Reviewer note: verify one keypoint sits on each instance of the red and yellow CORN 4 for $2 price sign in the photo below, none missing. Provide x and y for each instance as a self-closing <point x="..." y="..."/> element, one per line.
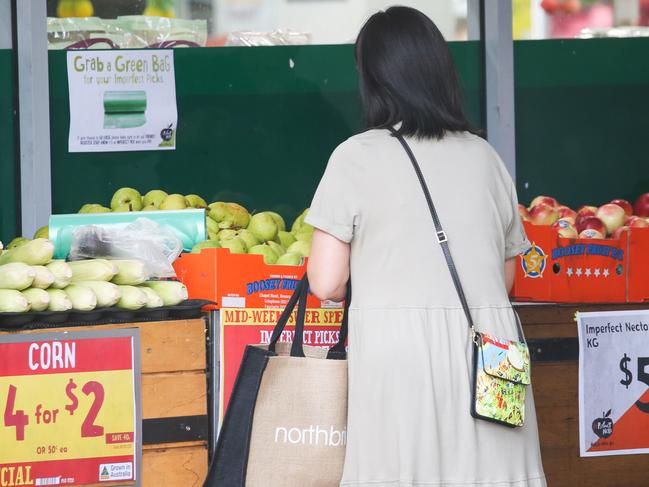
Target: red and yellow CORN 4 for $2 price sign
<point x="70" y="408"/>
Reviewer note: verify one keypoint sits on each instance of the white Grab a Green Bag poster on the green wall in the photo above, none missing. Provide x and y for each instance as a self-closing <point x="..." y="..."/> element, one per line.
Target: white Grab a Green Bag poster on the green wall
<point x="122" y="100"/>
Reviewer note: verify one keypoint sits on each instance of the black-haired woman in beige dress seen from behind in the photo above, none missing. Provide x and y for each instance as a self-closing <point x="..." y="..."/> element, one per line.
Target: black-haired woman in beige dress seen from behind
<point x="409" y="346"/>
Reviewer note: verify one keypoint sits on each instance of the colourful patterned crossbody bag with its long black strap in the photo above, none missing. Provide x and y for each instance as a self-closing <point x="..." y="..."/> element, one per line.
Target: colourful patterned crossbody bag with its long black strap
<point x="501" y="368"/>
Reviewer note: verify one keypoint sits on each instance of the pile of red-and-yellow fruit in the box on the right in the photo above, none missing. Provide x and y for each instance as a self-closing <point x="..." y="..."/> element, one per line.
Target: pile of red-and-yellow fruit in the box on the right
<point x="609" y="220"/>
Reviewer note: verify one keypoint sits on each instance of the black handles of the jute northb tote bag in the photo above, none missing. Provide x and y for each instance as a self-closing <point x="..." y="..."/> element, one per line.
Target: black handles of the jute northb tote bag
<point x="299" y="297"/>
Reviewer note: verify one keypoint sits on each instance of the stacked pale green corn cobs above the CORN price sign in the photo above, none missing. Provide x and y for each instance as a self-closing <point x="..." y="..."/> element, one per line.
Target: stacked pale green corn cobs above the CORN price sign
<point x="31" y="281"/>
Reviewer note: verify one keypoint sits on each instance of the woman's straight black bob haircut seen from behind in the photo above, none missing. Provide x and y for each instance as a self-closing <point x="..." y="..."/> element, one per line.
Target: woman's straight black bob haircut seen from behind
<point x="407" y="75"/>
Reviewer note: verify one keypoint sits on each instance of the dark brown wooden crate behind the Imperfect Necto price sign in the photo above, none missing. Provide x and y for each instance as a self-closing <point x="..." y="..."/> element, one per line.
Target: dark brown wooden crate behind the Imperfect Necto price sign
<point x="555" y="385"/>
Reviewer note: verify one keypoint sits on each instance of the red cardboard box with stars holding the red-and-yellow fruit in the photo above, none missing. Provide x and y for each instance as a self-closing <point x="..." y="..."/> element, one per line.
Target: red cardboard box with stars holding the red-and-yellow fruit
<point x="565" y="270"/>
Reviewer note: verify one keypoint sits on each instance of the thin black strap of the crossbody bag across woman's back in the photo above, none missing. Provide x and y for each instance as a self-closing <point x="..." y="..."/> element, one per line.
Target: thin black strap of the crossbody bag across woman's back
<point x="442" y="239"/>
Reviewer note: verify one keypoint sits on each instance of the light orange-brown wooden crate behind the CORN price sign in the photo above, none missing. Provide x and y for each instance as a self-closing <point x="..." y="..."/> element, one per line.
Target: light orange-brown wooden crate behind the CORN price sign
<point x="174" y="385"/>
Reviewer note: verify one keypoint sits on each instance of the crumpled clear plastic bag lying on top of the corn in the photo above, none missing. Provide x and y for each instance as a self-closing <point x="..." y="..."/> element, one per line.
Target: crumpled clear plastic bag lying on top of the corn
<point x="142" y="239"/>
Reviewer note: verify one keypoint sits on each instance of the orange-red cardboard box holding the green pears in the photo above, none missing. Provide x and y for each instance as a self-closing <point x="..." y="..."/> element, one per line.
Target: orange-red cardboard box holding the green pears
<point x="240" y="280"/>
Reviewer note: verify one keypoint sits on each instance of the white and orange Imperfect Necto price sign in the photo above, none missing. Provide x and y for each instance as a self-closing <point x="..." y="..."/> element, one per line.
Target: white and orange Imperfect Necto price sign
<point x="614" y="382"/>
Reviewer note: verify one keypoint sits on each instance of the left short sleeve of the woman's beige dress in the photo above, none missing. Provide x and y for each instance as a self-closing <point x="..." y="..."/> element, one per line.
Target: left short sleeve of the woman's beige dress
<point x="334" y="208"/>
